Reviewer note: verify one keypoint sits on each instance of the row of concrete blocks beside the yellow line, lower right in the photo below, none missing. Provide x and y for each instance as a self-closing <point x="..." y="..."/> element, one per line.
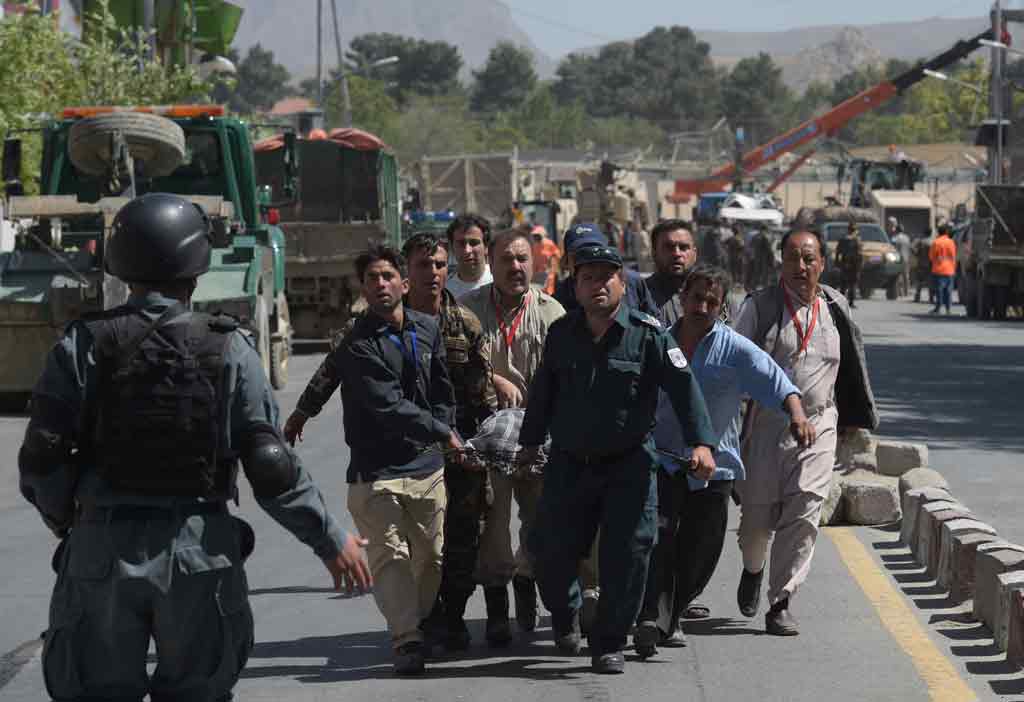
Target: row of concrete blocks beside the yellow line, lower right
<point x="967" y="557"/>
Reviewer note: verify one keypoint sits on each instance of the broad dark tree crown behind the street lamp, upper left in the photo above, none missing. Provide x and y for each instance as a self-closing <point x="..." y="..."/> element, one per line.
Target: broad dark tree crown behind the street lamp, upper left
<point x="424" y="68"/>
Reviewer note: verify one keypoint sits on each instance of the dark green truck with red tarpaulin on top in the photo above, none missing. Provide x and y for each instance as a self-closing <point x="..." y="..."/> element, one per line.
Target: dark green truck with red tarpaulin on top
<point x="347" y="197"/>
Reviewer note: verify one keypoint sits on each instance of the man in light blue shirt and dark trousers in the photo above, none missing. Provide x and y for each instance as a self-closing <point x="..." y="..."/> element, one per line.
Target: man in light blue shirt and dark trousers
<point x="694" y="513"/>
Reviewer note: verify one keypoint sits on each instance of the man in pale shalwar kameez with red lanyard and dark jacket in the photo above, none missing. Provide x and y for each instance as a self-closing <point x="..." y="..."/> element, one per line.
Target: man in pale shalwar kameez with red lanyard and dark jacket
<point x="808" y="331"/>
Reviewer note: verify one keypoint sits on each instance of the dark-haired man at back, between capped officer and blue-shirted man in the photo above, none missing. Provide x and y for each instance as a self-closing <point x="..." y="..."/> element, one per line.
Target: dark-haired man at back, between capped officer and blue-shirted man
<point x="675" y="253"/>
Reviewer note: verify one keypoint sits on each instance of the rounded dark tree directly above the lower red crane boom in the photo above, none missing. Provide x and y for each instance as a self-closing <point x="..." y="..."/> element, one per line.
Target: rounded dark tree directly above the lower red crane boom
<point x="755" y="98"/>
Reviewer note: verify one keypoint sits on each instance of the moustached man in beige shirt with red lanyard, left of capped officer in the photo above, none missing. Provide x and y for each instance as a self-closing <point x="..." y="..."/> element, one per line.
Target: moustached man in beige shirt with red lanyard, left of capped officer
<point x="516" y="320"/>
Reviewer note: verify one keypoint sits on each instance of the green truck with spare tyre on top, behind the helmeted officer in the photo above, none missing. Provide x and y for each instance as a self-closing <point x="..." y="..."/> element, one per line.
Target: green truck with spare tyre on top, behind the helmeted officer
<point x="97" y="159"/>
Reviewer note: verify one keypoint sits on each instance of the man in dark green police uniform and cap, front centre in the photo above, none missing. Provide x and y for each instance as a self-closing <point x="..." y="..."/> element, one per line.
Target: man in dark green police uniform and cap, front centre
<point x="596" y="392"/>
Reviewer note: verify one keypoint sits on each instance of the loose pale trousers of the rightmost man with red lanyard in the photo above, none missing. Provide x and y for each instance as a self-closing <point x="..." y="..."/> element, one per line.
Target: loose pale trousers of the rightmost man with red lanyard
<point x="795" y="523"/>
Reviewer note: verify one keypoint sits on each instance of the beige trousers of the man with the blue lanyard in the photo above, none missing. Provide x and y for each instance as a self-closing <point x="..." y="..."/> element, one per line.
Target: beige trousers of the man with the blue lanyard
<point x="403" y="519"/>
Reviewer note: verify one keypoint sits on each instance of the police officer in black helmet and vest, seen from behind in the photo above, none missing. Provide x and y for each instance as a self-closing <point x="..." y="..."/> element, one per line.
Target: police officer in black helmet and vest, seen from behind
<point x="139" y="423"/>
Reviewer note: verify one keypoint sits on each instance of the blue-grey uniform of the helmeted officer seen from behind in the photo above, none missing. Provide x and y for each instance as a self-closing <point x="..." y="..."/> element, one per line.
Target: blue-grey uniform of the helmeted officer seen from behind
<point x="135" y="567"/>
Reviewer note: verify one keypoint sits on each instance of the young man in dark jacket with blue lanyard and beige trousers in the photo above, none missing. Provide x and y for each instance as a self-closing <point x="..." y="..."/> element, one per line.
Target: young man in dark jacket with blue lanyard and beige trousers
<point x="399" y="417"/>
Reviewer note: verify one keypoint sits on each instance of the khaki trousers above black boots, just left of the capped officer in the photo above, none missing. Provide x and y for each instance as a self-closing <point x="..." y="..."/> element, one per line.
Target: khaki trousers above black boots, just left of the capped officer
<point x="498" y="563"/>
